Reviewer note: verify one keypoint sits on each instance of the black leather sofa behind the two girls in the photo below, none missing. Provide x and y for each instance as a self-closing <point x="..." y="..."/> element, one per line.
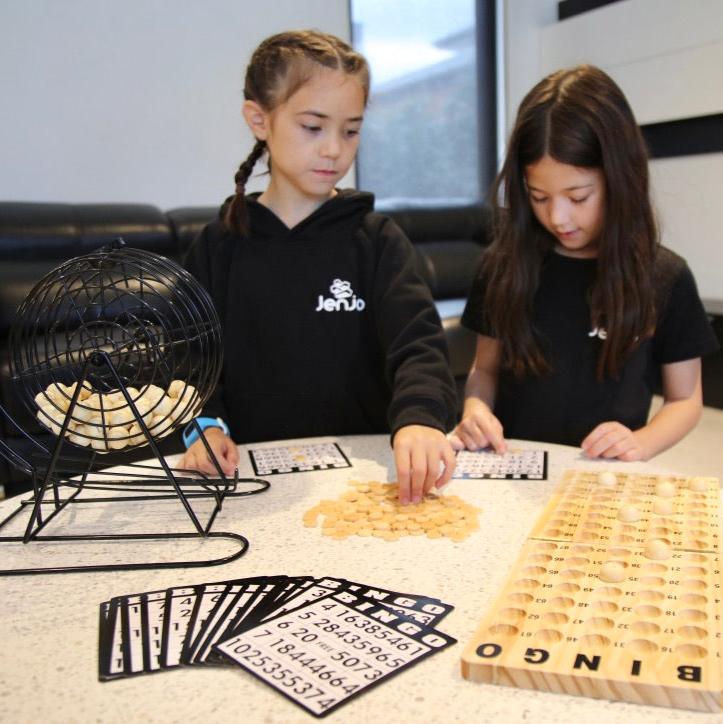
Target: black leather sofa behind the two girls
<point x="36" y="237"/>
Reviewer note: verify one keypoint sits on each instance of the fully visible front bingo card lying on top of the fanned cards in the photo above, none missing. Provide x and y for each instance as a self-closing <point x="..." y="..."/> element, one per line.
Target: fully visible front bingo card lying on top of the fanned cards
<point x="332" y="649"/>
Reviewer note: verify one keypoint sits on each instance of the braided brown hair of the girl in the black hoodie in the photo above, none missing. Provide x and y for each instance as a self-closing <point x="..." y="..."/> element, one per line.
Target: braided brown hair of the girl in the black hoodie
<point x="278" y="68"/>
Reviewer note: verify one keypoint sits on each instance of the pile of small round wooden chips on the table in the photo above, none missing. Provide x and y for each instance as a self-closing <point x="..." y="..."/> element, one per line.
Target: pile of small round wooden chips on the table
<point x="373" y="509"/>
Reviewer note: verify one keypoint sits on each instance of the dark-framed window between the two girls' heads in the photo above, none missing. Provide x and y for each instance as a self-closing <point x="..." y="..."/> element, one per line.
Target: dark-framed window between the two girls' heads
<point x="429" y="131"/>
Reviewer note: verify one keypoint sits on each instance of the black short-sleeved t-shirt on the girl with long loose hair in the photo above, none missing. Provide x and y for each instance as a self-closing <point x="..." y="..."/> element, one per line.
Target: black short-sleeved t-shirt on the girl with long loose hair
<point x="566" y="404"/>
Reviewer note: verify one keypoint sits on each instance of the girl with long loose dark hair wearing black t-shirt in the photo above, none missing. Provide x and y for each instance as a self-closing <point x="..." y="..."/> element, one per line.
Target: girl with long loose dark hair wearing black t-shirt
<point x="580" y="312"/>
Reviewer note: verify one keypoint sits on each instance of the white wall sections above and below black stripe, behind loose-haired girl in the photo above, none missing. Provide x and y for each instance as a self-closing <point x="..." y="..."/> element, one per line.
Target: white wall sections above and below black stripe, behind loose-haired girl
<point x="667" y="57"/>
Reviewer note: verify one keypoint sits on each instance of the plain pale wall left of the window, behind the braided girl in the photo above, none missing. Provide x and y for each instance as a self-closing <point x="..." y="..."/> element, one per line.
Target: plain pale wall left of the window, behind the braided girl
<point x="136" y="100"/>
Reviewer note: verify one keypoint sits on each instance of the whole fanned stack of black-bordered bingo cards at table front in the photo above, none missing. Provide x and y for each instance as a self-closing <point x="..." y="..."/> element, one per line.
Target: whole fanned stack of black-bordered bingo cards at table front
<point x="319" y="642"/>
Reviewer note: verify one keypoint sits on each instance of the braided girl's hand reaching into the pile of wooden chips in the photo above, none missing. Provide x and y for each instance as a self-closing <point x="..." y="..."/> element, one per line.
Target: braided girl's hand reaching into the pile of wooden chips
<point x="418" y="453"/>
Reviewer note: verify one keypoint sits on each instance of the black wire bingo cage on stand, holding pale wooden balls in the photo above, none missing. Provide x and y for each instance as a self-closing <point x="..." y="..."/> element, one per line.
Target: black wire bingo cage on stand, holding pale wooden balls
<point x="110" y="352"/>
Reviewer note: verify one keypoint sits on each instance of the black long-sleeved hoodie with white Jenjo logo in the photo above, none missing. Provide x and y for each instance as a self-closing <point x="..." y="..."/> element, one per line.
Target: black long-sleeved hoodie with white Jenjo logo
<point x="328" y="327"/>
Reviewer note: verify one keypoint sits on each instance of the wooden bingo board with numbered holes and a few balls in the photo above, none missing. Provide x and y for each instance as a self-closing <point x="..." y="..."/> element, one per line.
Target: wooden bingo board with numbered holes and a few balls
<point x="615" y="595"/>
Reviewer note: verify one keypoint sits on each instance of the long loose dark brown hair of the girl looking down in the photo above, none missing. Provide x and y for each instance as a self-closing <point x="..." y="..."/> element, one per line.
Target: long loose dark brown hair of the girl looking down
<point x="578" y="117"/>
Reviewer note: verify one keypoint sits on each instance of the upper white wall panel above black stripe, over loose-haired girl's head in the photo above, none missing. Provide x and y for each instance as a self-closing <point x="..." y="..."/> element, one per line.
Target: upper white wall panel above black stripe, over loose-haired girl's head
<point x="666" y="55"/>
